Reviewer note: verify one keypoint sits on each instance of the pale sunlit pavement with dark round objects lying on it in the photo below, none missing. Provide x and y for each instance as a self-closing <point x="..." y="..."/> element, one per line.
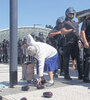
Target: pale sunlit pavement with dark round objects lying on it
<point x="62" y="89"/>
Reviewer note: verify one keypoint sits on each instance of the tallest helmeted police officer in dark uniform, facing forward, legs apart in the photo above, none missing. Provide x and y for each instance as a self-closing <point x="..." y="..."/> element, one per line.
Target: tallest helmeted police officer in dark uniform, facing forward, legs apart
<point x="71" y="43"/>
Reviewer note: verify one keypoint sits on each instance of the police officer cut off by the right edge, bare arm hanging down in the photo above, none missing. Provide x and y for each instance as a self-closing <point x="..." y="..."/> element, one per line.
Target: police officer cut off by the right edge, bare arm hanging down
<point x="85" y="33"/>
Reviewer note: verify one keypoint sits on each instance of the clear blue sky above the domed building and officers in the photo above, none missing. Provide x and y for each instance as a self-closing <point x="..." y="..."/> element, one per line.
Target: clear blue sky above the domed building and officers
<point x="41" y="12"/>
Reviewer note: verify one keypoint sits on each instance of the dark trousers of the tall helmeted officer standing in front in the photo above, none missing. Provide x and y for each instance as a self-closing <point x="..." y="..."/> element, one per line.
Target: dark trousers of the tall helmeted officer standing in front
<point x="68" y="50"/>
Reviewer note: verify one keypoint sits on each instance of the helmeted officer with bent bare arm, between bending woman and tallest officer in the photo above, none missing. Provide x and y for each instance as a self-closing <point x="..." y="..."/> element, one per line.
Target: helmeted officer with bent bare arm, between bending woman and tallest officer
<point x="56" y="38"/>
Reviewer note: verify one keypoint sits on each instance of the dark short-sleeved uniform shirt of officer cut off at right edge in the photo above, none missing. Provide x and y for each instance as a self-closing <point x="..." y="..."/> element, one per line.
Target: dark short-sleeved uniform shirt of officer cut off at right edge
<point x="86" y="28"/>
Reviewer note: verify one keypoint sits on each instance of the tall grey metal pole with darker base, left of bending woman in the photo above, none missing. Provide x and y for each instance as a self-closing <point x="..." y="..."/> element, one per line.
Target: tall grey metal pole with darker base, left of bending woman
<point x="13" y="42"/>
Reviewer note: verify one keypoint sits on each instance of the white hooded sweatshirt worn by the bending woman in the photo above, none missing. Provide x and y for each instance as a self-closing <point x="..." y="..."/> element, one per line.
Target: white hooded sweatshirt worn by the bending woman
<point x="44" y="51"/>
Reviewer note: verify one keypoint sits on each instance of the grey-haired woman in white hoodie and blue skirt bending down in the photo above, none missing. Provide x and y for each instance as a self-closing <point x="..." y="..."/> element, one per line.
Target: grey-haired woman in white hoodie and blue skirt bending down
<point x="47" y="57"/>
